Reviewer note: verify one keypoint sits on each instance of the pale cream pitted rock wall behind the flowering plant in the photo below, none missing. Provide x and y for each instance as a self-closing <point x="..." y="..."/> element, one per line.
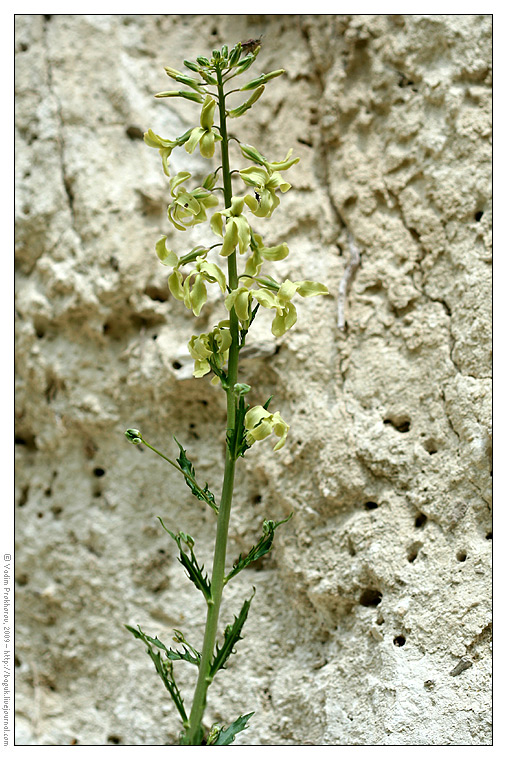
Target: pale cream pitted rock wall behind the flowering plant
<point x="371" y="619"/>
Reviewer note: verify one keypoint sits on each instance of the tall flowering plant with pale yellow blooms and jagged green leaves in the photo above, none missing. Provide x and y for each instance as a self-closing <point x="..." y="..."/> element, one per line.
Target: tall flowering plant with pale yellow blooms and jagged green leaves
<point x="218" y="351"/>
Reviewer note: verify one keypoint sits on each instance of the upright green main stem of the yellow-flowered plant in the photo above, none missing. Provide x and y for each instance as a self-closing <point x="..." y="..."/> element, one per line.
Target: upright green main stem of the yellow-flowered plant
<point x="194" y="734"/>
